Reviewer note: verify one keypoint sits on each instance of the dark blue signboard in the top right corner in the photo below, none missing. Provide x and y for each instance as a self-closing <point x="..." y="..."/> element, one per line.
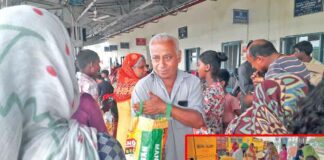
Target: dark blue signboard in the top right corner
<point x="303" y="7"/>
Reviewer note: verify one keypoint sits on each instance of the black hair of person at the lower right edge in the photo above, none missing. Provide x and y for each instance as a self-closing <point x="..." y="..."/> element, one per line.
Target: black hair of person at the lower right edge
<point x="309" y="118"/>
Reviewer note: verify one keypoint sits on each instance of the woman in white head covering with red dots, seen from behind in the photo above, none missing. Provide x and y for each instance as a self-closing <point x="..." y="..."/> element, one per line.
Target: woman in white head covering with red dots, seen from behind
<point x="39" y="92"/>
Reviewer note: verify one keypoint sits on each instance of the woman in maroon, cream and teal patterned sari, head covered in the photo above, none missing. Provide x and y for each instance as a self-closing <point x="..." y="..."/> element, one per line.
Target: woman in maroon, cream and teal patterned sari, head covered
<point x="274" y="104"/>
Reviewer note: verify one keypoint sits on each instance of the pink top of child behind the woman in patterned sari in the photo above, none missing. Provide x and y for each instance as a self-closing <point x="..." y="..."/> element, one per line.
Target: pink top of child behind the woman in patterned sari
<point x="231" y="104"/>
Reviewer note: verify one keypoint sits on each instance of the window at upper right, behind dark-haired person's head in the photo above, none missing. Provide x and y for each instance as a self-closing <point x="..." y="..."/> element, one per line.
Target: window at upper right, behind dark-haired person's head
<point x="317" y="40"/>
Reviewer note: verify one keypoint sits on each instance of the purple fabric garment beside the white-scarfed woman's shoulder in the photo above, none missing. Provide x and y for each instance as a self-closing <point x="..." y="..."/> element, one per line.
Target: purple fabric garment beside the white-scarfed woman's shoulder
<point x="89" y="113"/>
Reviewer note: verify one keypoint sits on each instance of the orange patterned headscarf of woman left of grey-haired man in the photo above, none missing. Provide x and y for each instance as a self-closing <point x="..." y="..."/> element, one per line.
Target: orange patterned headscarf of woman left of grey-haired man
<point x="126" y="78"/>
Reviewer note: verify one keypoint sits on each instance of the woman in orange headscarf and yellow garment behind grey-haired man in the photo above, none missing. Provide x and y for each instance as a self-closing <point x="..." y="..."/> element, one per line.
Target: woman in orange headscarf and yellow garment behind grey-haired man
<point x="132" y="69"/>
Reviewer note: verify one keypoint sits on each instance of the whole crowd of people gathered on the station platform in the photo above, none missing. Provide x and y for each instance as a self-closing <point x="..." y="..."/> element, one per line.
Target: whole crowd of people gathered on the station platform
<point x="55" y="110"/>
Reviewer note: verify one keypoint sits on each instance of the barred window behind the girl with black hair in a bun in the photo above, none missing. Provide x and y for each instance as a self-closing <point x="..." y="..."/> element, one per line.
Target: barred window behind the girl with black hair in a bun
<point x="233" y="52"/>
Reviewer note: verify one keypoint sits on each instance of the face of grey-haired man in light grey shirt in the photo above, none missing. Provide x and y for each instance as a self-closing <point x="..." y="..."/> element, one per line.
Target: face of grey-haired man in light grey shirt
<point x="165" y="58"/>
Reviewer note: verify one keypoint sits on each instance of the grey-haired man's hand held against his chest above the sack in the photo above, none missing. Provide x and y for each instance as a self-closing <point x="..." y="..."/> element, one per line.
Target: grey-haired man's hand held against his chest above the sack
<point x="152" y="106"/>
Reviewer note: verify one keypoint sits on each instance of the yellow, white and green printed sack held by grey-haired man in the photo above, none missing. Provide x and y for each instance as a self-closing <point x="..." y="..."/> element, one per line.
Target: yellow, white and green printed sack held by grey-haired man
<point x="147" y="138"/>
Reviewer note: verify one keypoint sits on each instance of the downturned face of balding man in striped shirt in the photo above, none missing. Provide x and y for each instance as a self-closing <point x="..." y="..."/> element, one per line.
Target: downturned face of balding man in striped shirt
<point x="259" y="62"/>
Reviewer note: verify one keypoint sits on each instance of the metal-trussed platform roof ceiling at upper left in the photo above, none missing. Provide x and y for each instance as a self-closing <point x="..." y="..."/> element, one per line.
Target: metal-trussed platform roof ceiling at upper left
<point x="104" y="19"/>
